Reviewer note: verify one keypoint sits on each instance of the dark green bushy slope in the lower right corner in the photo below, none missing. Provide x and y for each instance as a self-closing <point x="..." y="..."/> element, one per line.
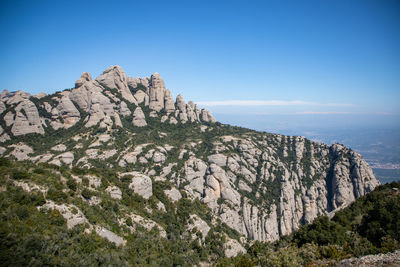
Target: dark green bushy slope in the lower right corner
<point x="370" y="225"/>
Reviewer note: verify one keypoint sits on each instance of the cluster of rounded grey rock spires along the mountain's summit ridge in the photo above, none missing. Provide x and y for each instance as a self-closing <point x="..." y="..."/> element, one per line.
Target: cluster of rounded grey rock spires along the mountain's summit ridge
<point x="101" y="101"/>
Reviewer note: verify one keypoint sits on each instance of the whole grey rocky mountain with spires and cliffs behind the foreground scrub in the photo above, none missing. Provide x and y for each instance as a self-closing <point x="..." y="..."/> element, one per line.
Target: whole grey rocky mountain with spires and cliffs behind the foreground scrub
<point x="262" y="185"/>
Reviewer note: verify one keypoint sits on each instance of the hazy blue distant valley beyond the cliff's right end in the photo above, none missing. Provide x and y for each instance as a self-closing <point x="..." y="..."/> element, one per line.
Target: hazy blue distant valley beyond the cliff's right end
<point x="379" y="144"/>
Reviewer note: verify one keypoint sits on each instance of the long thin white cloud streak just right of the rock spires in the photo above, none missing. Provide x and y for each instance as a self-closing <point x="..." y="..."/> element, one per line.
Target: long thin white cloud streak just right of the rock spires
<point x="265" y="103"/>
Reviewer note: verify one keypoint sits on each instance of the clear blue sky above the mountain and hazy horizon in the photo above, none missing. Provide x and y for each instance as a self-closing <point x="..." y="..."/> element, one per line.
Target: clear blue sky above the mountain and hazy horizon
<point x="260" y="64"/>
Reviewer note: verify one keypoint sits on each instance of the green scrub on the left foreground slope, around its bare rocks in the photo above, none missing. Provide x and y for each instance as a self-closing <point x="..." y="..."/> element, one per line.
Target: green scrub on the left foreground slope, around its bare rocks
<point x="29" y="236"/>
